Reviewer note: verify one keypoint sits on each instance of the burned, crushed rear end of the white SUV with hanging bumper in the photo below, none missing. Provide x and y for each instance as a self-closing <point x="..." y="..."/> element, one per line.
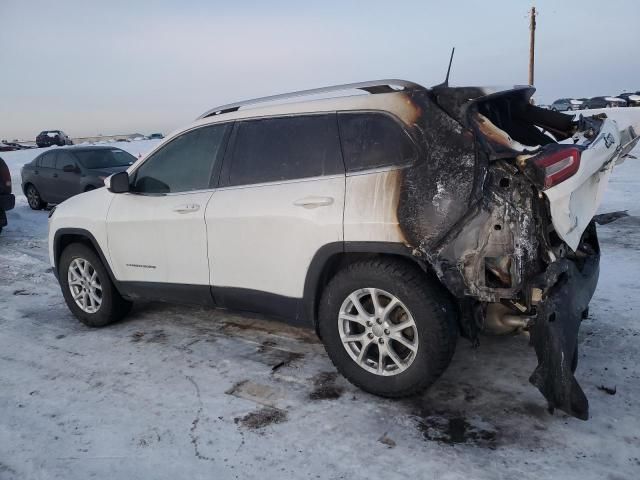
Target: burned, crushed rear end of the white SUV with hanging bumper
<point x="507" y="248"/>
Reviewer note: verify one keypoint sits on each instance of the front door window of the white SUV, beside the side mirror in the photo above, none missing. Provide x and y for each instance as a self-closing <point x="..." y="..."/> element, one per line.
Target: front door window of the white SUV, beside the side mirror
<point x="184" y="164"/>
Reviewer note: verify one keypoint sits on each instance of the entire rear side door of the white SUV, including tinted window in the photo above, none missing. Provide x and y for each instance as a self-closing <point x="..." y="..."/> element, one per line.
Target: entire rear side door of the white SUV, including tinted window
<point x="280" y="200"/>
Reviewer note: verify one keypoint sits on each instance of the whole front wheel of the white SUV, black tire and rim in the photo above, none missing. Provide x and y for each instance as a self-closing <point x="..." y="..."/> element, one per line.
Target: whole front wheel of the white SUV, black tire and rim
<point x="111" y="308"/>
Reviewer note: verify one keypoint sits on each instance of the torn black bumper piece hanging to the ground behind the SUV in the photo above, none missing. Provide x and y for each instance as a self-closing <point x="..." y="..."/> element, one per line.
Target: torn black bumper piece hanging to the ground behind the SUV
<point x="569" y="287"/>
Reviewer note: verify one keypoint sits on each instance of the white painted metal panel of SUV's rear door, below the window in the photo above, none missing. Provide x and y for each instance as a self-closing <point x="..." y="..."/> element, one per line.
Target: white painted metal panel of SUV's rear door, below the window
<point x="263" y="237"/>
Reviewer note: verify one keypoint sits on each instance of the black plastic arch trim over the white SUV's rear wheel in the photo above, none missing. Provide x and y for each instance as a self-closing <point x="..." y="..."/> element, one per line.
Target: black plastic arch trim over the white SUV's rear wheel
<point x="333" y="257"/>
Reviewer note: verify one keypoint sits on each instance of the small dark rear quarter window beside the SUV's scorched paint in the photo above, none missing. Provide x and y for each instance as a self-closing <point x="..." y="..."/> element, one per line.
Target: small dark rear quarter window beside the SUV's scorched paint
<point x="373" y="140"/>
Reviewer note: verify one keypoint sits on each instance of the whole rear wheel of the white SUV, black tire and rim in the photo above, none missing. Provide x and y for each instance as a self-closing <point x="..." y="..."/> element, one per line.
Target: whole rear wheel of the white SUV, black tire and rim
<point x="421" y="300"/>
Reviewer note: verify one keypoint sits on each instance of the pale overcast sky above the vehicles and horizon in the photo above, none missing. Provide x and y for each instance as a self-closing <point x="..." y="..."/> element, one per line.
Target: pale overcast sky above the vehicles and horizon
<point x="90" y="67"/>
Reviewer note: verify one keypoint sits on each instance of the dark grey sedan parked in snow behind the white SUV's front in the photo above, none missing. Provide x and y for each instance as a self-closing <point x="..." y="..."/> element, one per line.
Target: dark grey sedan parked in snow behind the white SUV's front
<point x="58" y="174"/>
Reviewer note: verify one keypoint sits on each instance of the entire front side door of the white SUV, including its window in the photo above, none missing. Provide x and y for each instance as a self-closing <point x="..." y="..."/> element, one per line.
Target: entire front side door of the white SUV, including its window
<point x="157" y="232"/>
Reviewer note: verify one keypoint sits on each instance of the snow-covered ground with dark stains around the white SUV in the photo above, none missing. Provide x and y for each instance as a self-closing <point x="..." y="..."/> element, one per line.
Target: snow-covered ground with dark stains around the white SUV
<point x="182" y="392"/>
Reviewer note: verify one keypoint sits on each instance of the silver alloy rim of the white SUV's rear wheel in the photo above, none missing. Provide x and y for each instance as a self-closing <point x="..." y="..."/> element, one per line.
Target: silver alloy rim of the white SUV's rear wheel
<point x="378" y="331"/>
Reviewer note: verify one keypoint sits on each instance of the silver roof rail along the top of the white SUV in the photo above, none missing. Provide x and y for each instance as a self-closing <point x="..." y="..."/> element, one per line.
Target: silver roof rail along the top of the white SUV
<point x="373" y="86"/>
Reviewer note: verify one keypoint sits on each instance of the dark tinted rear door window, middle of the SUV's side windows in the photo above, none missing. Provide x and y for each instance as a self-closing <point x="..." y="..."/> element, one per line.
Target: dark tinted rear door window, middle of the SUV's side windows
<point x="285" y="148"/>
